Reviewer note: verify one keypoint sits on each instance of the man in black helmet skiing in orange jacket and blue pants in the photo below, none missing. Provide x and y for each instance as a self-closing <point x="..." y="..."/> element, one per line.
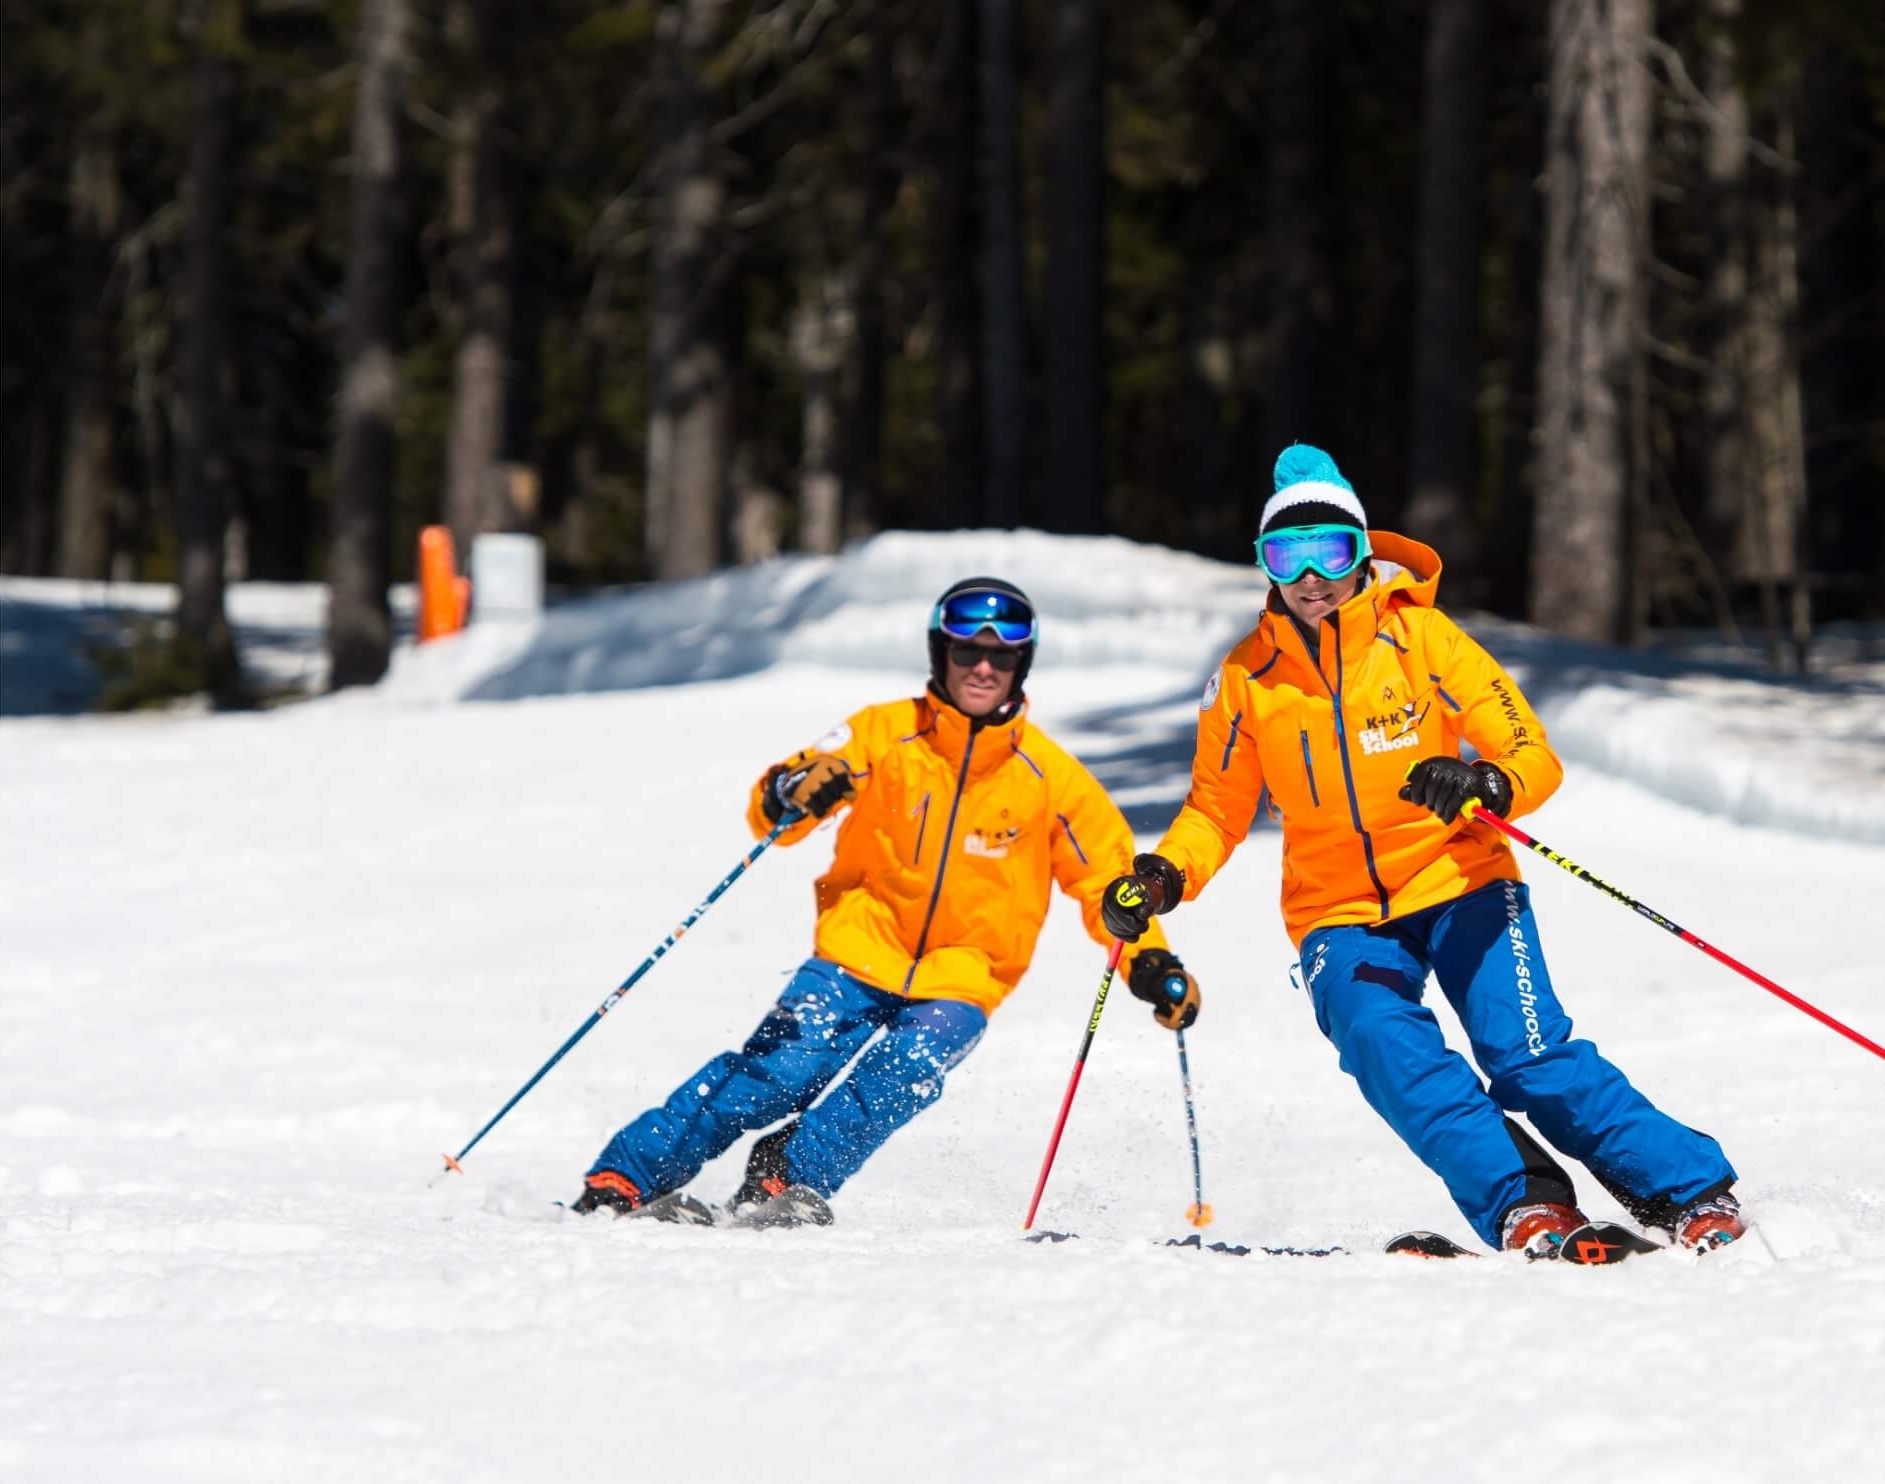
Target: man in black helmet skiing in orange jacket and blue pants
<point x="962" y="814"/>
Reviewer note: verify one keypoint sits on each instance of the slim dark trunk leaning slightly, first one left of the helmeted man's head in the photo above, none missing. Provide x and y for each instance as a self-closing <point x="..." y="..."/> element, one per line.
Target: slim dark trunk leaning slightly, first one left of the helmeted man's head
<point x="862" y="457"/>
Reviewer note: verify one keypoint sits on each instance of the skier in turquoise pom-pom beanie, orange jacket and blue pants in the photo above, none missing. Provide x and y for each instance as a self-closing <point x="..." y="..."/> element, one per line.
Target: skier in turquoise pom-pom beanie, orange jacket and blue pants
<point x="1349" y="702"/>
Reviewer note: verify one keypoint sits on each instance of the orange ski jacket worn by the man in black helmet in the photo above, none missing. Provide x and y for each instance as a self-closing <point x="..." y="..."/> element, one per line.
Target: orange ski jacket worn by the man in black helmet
<point x="945" y="855"/>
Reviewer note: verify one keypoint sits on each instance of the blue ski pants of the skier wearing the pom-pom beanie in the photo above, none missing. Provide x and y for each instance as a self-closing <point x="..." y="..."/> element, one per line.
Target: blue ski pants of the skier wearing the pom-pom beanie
<point x="1366" y="985"/>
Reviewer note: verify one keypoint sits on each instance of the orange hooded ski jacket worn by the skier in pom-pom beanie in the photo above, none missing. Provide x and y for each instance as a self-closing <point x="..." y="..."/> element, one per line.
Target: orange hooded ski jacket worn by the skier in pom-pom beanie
<point x="1398" y="682"/>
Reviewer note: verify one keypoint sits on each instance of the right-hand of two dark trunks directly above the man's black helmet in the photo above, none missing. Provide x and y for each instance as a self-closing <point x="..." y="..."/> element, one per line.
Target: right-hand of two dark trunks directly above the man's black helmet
<point x="1004" y="297"/>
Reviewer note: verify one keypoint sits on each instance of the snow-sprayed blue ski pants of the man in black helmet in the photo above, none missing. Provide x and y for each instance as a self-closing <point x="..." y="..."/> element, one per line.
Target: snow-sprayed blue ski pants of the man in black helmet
<point x="819" y="1025"/>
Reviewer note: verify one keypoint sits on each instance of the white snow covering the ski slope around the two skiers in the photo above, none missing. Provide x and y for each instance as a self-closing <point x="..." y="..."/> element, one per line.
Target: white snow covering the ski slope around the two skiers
<point x="257" y="972"/>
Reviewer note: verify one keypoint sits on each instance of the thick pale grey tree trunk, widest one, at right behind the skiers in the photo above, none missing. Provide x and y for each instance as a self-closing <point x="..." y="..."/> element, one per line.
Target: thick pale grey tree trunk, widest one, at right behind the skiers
<point x="1592" y="323"/>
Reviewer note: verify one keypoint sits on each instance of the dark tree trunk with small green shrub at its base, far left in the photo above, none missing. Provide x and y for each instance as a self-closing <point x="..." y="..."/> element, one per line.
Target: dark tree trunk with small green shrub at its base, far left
<point x="203" y="453"/>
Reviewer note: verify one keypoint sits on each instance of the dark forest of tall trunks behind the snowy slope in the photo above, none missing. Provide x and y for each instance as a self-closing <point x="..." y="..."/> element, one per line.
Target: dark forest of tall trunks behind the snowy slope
<point x="1586" y="293"/>
